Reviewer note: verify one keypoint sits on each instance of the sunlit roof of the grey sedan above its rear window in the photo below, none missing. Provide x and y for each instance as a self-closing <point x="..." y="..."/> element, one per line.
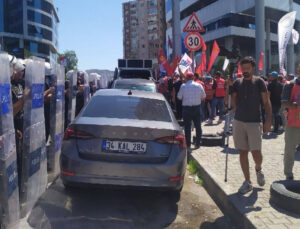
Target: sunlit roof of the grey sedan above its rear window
<point x="135" y="93"/>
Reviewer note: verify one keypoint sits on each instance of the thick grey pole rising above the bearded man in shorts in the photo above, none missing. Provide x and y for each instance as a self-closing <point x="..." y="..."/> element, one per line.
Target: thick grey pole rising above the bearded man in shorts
<point x="260" y="32"/>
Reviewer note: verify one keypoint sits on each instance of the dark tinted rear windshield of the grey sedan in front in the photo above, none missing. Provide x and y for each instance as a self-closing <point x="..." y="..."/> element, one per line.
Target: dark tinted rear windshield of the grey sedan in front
<point x="124" y="107"/>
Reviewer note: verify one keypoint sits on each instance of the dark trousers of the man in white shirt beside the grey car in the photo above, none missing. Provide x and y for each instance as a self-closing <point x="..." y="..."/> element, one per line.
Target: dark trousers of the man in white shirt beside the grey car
<point x="190" y="114"/>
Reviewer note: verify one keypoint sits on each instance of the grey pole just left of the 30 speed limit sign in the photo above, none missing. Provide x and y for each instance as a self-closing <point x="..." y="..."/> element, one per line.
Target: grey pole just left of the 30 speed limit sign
<point x="176" y="28"/>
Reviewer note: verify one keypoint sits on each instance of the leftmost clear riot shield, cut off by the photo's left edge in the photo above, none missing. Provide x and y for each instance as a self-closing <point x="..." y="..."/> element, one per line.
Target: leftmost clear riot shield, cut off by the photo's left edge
<point x="9" y="191"/>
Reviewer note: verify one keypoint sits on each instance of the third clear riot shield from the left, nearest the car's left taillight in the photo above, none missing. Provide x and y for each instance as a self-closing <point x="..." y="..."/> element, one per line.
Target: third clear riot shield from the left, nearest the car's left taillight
<point x="56" y="121"/>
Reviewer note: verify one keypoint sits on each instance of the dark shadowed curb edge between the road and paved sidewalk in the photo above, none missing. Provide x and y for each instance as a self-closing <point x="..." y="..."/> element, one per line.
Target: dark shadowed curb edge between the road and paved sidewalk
<point x="222" y="199"/>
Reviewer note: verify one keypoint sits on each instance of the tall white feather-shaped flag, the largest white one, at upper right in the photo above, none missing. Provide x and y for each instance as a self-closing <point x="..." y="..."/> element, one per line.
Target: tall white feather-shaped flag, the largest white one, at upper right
<point x="285" y="27"/>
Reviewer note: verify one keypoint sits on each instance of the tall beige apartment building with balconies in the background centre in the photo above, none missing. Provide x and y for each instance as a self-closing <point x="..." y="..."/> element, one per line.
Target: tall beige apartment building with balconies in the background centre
<point x="144" y="29"/>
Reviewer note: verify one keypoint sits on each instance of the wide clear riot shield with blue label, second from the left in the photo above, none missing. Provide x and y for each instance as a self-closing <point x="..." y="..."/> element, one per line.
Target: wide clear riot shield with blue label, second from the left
<point x="34" y="164"/>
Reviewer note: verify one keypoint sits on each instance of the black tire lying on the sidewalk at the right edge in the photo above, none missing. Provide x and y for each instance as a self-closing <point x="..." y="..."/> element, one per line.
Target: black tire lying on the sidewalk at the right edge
<point x="286" y="195"/>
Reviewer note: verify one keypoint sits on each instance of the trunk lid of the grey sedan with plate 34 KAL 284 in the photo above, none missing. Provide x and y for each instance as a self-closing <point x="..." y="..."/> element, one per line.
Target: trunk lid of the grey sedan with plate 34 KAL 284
<point x="93" y="146"/>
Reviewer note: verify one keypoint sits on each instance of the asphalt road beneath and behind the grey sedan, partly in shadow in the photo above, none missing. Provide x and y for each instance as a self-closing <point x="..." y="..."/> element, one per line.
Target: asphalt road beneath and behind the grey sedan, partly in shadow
<point x="95" y="208"/>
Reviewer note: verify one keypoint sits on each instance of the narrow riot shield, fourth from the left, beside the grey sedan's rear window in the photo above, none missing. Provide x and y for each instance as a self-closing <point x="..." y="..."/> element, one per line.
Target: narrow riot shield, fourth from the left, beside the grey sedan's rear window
<point x="72" y="78"/>
